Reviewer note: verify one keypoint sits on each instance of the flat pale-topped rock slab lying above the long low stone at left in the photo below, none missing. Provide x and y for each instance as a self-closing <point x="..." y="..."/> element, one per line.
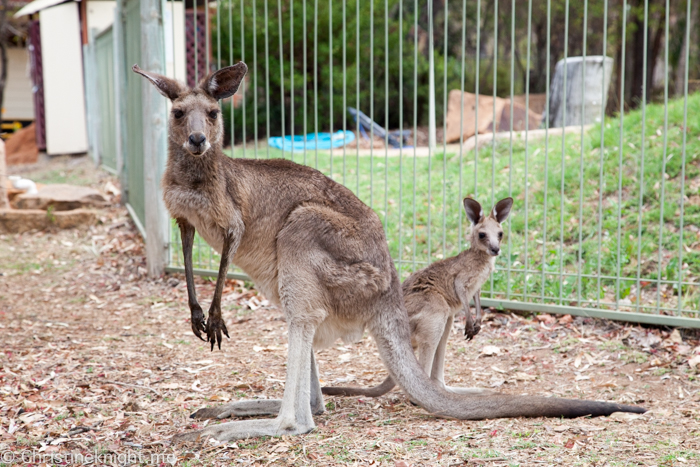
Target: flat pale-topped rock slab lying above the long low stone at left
<point x="61" y="198"/>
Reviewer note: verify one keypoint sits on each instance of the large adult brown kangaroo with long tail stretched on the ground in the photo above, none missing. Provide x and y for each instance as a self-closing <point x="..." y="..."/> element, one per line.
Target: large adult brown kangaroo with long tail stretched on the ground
<point x="314" y="249"/>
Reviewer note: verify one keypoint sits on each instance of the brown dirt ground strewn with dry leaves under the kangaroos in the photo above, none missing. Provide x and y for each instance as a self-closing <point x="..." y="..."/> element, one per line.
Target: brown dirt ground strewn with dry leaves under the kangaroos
<point x="98" y="360"/>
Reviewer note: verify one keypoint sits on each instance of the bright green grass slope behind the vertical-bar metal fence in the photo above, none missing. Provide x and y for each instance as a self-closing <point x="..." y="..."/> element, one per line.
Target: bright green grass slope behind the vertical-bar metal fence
<point x="419" y="201"/>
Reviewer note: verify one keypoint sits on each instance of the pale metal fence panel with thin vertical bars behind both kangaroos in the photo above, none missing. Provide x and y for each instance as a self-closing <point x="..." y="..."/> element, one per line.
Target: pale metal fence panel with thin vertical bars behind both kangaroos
<point x="607" y="213"/>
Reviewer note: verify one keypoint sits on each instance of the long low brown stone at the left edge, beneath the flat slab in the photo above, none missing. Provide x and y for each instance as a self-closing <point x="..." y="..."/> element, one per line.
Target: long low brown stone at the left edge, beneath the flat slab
<point x="19" y="221"/>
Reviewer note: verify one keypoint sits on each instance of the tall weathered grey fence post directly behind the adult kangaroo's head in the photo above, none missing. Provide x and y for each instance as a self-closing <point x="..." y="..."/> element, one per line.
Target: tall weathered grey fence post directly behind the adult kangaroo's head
<point x="154" y="136"/>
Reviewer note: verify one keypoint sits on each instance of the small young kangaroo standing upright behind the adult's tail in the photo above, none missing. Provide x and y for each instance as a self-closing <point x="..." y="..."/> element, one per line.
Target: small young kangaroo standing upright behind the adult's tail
<point x="435" y="294"/>
